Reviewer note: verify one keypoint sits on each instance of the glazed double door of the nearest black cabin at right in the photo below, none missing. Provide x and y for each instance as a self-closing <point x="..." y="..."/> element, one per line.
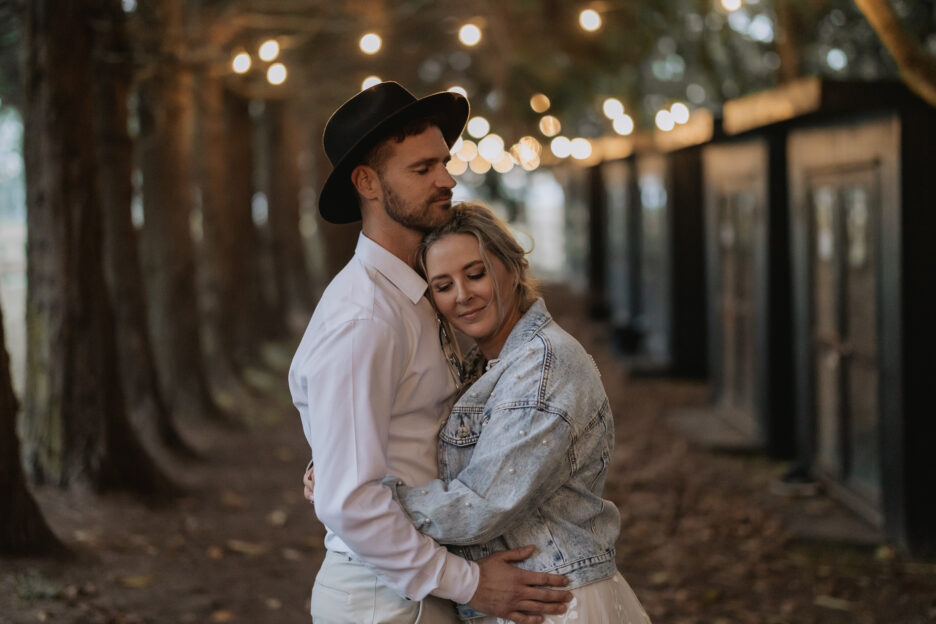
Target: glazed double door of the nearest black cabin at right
<point x="844" y="301"/>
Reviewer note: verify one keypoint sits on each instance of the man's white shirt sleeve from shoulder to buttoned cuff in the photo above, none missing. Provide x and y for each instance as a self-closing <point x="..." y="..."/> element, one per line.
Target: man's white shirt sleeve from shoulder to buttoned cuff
<point x="357" y="383"/>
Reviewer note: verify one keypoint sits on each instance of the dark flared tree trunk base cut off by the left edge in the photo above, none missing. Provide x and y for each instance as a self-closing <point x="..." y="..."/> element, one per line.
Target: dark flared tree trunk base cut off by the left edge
<point x="23" y="530"/>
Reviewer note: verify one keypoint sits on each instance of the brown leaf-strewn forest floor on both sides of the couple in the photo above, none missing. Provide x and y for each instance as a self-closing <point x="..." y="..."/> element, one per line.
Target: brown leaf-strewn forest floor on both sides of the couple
<point x="704" y="540"/>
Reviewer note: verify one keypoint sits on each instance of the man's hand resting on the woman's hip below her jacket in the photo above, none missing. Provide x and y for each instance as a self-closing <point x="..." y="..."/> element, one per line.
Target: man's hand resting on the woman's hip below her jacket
<point x="518" y="595"/>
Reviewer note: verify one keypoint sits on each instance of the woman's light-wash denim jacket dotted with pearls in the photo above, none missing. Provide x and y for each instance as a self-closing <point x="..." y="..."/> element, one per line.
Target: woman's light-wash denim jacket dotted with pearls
<point x="523" y="459"/>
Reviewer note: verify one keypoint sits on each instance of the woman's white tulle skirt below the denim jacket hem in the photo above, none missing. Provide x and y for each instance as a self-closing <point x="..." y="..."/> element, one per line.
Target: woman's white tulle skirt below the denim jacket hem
<point x="611" y="601"/>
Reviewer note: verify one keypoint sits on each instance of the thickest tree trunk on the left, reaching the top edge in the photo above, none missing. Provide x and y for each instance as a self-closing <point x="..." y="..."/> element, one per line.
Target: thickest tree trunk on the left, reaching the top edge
<point x="75" y="423"/>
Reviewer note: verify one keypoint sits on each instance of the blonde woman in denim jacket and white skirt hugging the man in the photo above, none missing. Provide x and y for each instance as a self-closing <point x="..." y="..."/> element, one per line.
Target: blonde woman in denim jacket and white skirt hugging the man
<point x="524" y="454"/>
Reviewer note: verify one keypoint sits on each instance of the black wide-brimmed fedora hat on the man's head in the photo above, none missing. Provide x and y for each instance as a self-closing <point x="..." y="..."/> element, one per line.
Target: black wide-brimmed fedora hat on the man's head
<point x="364" y="120"/>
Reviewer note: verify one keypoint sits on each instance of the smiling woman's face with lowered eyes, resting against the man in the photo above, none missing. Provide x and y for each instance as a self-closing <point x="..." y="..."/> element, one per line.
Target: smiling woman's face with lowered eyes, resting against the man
<point x="463" y="291"/>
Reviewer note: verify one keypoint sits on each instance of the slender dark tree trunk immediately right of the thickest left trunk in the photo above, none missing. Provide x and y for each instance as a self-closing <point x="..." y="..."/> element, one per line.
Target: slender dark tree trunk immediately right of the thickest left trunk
<point x="144" y="397"/>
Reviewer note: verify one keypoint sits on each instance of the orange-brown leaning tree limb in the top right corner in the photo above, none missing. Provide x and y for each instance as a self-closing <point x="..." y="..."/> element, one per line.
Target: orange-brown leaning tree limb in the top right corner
<point x="917" y="67"/>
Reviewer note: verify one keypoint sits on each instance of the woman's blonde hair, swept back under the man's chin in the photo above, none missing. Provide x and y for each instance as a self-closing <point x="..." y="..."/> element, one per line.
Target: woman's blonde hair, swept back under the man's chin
<point x="494" y="240"/>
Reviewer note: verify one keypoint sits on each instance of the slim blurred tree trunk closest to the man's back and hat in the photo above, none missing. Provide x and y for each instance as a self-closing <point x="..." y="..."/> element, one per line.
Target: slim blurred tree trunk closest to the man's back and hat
<point x="293" y="282"/>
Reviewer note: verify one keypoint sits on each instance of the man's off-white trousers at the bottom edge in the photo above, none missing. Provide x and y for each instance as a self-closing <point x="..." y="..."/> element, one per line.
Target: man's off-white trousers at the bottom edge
<point x="346" y="592"/>
